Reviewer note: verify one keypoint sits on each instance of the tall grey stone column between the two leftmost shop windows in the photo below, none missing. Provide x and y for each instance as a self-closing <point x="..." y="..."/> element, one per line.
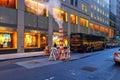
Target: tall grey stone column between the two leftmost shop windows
<point x="20" y="27"/>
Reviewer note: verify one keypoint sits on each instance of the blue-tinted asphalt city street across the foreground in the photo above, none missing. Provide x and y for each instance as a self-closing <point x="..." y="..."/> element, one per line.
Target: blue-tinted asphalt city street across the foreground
<point x="95" y="66"/>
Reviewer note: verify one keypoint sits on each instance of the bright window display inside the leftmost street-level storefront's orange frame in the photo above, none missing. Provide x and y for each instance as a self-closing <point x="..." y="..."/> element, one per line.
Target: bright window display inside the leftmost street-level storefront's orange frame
<point x="5" y="40"/>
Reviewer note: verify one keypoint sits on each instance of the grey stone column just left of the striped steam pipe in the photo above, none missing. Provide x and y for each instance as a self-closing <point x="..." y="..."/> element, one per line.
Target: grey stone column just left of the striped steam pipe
<point x="50" y="30"/>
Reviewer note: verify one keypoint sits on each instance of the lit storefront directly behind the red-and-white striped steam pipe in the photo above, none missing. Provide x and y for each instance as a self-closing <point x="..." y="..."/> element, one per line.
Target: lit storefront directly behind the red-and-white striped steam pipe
<point x="56" y="39"/>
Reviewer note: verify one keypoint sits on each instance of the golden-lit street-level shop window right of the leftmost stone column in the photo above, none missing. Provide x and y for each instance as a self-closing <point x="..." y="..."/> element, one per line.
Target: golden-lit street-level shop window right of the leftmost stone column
<point x="30" y="40"/>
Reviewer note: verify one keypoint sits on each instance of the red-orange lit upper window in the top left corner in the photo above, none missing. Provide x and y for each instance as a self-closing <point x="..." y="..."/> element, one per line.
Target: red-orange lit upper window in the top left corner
<point x="8" y="3"/>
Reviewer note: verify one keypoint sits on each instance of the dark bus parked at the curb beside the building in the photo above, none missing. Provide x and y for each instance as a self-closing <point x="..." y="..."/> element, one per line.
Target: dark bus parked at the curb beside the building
<point x="80" y="42"/>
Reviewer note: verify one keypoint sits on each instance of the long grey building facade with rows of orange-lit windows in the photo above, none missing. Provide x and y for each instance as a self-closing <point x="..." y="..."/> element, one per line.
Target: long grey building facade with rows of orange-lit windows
<point x="26" y="25"/>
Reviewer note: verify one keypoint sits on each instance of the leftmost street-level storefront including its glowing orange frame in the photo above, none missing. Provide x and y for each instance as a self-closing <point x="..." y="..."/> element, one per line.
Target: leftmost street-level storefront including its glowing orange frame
<point x="8" y="40"/>
